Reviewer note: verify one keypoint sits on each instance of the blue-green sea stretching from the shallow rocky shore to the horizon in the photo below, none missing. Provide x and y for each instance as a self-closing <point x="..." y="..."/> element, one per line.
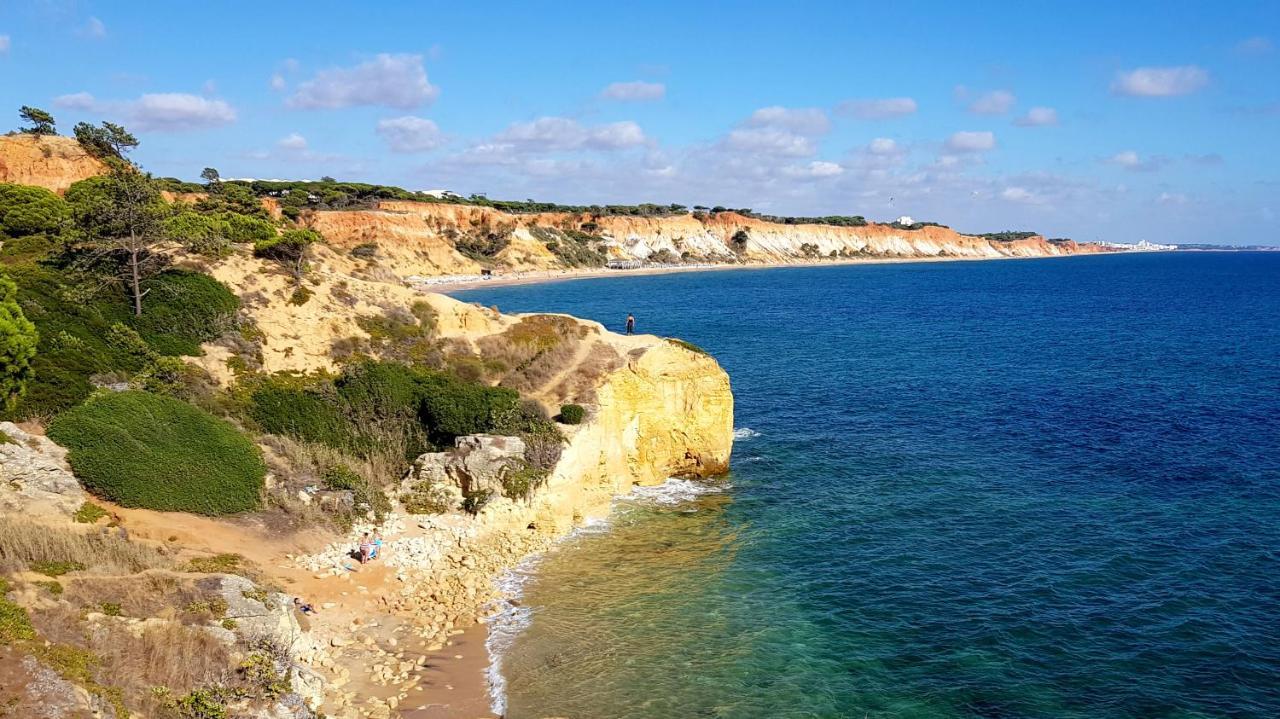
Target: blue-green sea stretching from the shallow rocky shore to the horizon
<point x="1012" y="489"/>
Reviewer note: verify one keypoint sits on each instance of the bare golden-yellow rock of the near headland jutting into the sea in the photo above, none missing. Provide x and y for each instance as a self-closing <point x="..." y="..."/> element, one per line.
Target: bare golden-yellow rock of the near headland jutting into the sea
<point x="656" y="409"/>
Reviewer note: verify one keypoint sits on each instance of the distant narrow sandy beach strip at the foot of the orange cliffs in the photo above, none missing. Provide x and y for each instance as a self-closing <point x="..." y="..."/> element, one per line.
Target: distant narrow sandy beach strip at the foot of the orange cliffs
<point x="449" y="285"/>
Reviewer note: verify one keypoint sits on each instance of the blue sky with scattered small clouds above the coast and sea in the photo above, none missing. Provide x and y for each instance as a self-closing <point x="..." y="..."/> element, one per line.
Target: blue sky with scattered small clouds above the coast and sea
<point x="1095" y="121"/>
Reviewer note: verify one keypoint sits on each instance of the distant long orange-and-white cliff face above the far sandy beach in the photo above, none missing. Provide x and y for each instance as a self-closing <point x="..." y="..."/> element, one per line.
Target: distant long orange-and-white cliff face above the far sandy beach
<point x="422" y="239"/>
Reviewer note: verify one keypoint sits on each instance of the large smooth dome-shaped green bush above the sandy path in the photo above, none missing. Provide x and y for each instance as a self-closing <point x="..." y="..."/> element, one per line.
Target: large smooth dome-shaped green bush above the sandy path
<point x="147" y="451"/>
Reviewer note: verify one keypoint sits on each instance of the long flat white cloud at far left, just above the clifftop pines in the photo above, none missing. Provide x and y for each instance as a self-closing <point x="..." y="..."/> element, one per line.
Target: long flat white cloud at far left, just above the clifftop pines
<point x="159" y="112"/>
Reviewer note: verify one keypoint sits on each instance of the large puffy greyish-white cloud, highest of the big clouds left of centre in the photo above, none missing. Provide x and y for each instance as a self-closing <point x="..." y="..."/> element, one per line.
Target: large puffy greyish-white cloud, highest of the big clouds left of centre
<point x="388" y="81"/>
